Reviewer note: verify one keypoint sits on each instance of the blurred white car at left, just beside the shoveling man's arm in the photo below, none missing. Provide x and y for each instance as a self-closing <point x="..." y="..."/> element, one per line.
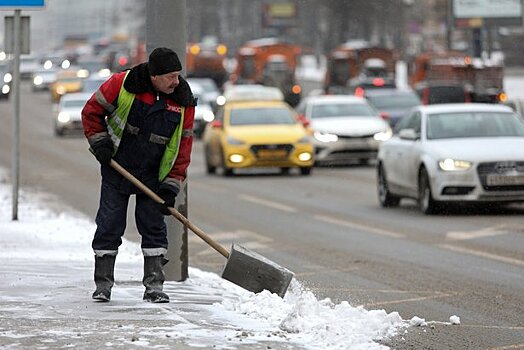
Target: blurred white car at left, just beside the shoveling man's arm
<point x="69" y="112"/>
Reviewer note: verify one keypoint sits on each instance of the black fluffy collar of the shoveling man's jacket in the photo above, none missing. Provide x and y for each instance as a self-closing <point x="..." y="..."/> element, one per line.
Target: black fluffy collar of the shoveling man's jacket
<point x="138" y="81"/>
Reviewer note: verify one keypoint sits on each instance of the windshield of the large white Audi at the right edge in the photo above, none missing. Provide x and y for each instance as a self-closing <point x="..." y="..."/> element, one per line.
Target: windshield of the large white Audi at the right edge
<point x="474" y="124"/>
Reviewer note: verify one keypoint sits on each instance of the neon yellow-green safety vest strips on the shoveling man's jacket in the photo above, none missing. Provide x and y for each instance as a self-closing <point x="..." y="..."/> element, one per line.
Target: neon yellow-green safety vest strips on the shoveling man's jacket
<point x="117" y="123"/>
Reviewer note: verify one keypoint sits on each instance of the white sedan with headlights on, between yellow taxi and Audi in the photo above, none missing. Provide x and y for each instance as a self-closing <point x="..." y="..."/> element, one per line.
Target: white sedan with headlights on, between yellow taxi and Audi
<point x="345" y="128"/>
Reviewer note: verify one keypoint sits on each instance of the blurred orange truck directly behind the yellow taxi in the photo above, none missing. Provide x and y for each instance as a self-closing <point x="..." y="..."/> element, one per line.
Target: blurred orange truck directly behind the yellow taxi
<point x="270" y="62"/>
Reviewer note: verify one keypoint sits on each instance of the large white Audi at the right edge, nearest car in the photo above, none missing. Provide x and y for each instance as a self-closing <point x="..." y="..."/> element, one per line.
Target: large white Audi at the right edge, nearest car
<point x="464" y="152"/>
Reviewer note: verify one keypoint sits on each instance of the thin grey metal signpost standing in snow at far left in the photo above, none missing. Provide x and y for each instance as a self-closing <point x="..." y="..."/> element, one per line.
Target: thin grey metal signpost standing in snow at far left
<point x="15" y="166"/>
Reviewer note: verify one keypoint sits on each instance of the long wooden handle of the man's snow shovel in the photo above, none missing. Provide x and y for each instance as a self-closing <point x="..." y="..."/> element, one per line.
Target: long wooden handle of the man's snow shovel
<point x="215" y="245"/>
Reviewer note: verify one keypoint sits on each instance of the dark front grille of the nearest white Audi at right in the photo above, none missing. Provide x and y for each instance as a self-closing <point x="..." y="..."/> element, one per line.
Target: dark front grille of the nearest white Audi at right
<point x="502" y="176"/>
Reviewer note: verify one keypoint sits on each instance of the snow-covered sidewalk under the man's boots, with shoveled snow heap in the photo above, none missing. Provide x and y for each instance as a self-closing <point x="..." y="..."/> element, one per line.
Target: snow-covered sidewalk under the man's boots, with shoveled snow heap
<point x="46" y="269"/>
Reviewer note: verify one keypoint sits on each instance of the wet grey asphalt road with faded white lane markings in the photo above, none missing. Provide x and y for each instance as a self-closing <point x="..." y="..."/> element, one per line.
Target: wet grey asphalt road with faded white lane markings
<point x="329" y="229"/>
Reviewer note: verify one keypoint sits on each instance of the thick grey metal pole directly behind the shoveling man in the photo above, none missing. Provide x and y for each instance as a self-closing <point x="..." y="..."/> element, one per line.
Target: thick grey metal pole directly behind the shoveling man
<point x="166" y="26"/>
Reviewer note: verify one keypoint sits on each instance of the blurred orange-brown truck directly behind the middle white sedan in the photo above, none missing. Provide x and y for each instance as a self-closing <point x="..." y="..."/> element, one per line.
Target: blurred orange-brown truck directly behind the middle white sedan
<point x="357" y="61"/>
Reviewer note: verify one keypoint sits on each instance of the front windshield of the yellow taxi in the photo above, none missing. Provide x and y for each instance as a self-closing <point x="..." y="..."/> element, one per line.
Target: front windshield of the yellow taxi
<point x="261" y="116"/>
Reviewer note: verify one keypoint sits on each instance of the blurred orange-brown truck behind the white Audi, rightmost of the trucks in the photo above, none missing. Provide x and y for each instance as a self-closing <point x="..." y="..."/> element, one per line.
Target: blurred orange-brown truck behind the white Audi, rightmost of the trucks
<point x="481" y="79"/>
